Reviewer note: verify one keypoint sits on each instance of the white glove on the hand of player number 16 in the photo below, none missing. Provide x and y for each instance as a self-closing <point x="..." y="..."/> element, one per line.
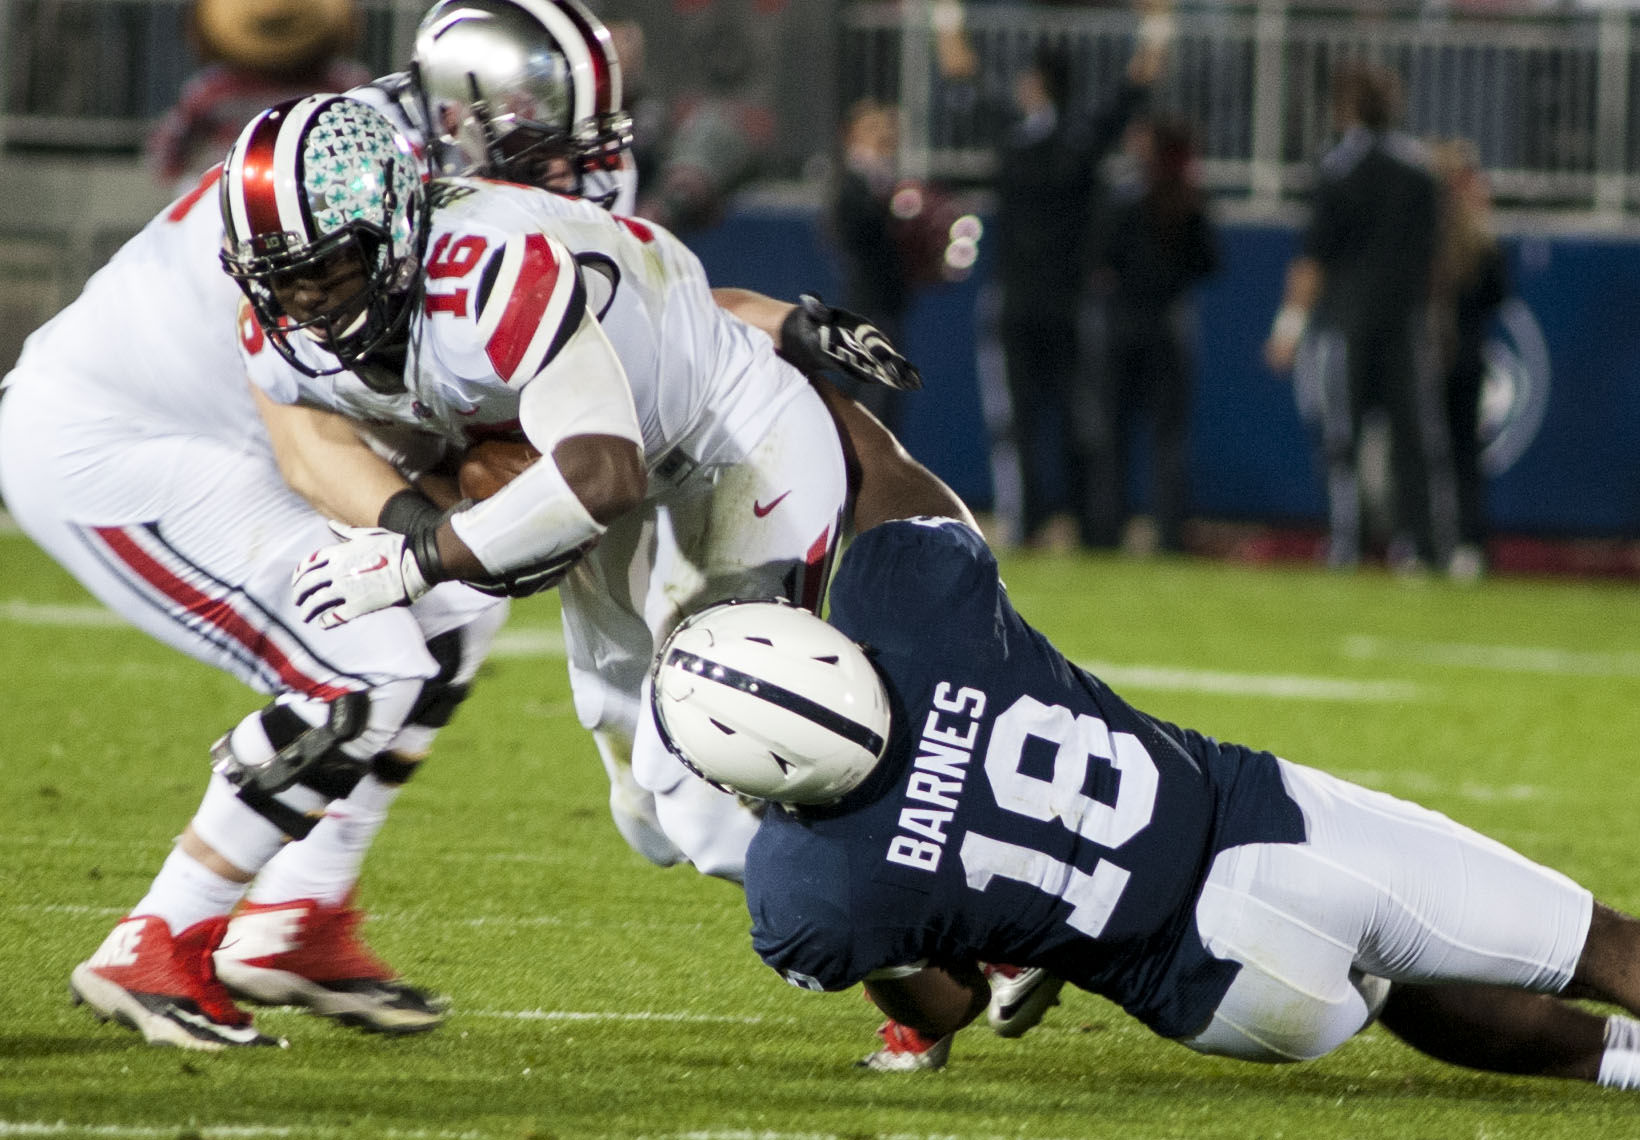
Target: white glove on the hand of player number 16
<point x="371" y="570"/>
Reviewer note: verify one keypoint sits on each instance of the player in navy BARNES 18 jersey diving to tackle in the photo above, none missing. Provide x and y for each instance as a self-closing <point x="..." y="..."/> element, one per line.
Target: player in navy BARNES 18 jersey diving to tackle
<point x="1229" y="900"/>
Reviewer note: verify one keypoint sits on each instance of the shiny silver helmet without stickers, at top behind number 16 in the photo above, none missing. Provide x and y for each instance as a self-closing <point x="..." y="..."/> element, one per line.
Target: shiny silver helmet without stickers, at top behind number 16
<point x="526" y="91"/>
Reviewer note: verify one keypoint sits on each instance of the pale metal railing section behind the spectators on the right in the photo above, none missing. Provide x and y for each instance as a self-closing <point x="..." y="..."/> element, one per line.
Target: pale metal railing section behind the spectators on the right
<point x="1547" y="99"/>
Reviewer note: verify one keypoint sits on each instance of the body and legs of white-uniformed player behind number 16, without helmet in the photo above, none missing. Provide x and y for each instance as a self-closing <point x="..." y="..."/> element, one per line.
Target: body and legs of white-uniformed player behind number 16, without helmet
<point x="135" y="454"/>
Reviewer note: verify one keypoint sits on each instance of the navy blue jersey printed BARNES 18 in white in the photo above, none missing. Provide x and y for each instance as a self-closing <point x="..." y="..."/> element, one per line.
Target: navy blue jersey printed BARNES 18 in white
<point x="1023" y="814"/>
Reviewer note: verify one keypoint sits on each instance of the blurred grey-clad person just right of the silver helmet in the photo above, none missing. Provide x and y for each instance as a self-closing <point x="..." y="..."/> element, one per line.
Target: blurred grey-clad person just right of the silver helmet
<point x="716" y="139"/>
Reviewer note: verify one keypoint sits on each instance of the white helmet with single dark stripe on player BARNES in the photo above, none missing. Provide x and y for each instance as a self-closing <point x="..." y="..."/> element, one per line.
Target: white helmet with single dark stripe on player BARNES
<point x="767" y="700"/>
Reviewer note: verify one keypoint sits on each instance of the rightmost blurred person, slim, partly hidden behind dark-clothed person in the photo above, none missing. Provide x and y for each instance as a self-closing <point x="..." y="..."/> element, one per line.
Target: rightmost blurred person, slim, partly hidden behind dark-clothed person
<point x="1470" y="285"/>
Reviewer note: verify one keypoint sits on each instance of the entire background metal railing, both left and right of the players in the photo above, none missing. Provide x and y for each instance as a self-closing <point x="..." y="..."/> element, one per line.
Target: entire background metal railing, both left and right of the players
<point x="1549" y="99"/>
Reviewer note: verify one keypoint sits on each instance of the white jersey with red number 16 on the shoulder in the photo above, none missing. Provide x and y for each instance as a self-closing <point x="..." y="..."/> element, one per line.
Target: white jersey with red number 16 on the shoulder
<point x="511" y="275"/>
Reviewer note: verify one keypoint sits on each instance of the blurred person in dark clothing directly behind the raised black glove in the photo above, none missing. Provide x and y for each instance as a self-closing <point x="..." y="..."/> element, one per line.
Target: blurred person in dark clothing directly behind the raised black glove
<point x="863" y="234"/>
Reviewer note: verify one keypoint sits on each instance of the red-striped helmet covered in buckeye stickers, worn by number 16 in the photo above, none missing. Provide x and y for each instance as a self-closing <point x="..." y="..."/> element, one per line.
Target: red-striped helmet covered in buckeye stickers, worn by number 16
<point x="319" y="194"/>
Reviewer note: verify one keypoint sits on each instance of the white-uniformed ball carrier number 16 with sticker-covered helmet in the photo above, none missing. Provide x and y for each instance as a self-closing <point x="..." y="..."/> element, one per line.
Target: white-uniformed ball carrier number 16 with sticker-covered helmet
<point x="683" y="460"/>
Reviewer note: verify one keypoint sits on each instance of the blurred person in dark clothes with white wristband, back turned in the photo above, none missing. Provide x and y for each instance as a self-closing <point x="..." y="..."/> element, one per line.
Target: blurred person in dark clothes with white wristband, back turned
<point x="1362" y="288"/>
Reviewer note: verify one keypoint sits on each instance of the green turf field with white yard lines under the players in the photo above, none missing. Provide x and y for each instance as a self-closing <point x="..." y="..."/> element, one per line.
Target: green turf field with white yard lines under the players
<point x="598" y="996"/>
